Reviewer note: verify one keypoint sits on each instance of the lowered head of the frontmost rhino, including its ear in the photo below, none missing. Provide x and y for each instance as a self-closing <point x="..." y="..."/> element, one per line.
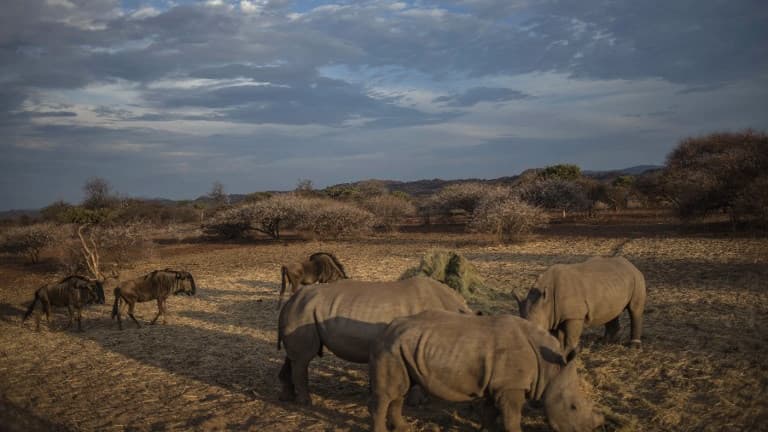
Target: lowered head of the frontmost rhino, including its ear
<point x="567" y="407"/>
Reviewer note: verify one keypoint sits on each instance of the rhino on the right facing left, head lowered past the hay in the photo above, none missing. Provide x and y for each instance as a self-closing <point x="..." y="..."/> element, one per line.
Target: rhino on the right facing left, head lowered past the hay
<point x="568" y="297"/>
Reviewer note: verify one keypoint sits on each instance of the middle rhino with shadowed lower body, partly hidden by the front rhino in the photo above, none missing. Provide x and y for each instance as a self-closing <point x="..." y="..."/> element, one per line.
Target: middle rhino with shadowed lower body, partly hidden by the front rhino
<point x="346" y="317"/>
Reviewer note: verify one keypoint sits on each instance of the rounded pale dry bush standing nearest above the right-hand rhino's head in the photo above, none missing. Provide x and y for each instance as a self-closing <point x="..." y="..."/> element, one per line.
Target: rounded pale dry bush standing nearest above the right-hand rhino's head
<point x="508" y="219"/>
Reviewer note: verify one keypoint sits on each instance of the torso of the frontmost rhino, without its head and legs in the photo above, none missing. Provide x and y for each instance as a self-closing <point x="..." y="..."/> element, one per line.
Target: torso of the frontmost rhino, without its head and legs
<point x="462" y="357"/>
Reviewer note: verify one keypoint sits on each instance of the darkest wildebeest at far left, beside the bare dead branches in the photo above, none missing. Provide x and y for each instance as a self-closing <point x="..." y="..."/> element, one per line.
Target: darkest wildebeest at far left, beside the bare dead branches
<point x="74" y="292"/>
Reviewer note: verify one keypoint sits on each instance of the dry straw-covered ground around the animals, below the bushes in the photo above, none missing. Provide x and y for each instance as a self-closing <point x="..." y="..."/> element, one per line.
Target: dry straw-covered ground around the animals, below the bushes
<point x="213" y="365"/>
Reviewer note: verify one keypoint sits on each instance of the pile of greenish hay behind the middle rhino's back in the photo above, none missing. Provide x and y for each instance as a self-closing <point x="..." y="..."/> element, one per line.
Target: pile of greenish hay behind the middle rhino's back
<point x="451" y="269"/>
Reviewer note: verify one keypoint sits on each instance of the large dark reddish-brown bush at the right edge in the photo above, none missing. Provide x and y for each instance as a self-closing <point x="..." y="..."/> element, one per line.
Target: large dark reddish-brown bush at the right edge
<point x="716" y="172"/>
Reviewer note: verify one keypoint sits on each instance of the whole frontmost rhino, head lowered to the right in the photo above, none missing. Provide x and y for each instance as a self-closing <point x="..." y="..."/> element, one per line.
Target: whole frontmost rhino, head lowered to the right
<point x="503" y="359"/>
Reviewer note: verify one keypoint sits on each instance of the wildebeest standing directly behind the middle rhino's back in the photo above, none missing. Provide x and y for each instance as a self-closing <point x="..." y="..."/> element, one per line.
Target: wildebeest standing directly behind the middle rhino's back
<point x="321" y="267"/>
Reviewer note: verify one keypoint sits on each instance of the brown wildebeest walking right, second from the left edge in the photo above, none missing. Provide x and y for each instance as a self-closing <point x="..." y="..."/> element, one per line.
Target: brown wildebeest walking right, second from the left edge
<point x="157" y="285"/>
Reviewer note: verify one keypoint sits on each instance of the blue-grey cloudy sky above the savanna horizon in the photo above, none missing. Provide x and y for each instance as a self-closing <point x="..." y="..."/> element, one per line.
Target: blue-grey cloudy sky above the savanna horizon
<point x="163" y="98"/>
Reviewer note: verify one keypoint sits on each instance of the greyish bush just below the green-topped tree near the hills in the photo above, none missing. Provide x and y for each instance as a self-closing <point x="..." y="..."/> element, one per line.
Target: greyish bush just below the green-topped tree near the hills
<point x="555" y="194"/>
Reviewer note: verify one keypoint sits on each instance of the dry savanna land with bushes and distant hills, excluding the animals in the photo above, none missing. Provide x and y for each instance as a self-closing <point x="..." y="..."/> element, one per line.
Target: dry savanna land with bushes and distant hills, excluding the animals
<point x="695" y="228"/>
